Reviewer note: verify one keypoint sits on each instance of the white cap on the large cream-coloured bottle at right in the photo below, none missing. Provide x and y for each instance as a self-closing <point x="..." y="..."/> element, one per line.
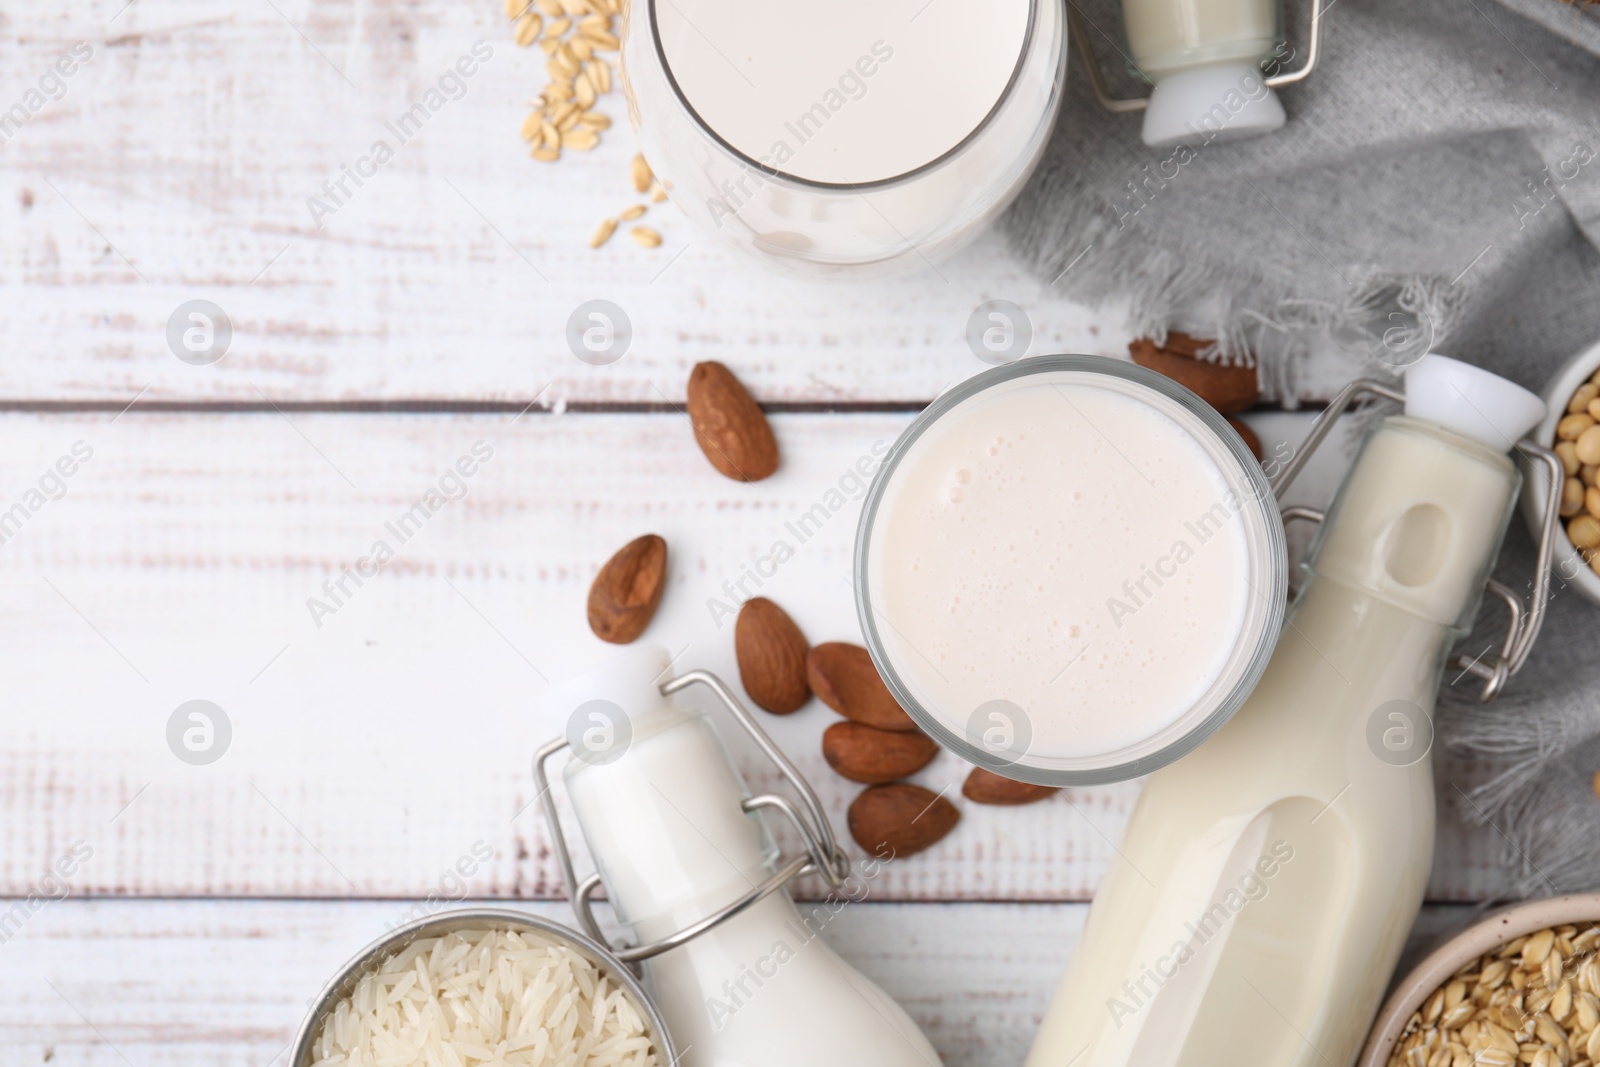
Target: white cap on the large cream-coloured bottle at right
<point x="1471" y="402"/>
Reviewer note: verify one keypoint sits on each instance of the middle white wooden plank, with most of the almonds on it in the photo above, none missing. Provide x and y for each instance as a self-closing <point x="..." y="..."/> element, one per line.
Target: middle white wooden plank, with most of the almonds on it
<point x="375" y="751"/>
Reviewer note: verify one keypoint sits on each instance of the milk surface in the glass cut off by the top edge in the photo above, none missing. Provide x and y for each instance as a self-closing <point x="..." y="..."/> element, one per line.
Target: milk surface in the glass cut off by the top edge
<point x="839" y="92"/>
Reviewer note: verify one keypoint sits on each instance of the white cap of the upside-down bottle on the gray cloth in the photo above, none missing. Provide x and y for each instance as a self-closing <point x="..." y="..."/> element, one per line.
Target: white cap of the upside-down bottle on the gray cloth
<point x="1228" y="102"/>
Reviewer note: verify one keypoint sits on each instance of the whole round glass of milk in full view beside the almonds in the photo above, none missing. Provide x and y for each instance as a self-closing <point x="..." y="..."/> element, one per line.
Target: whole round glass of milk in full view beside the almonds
<point x="1071" y="570"/>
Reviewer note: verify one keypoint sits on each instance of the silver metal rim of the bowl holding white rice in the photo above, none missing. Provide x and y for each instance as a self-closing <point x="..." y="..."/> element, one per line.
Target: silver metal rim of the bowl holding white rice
<point x="370" y="957"/>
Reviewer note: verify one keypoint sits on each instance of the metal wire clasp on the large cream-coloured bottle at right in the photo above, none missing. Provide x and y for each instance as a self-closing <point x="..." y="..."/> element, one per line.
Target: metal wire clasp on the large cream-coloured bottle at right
<point x="1527" y="620"/>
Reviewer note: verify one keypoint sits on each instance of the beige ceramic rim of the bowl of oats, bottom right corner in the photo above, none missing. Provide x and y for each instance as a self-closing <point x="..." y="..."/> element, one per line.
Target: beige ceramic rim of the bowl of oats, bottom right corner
<point x="1474" y="941"/>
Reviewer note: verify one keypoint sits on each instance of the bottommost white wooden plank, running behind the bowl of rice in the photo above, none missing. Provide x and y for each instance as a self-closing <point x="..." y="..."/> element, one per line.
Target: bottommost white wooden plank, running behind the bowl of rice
<point x="167" y="985"/>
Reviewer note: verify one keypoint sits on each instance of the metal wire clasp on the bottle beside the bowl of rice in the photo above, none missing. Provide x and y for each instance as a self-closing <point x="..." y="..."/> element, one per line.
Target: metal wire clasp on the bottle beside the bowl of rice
<point x="823" y="853"/>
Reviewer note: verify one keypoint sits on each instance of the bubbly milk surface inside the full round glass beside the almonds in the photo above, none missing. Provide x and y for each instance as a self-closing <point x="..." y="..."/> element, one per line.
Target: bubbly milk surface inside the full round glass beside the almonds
<point x="1063" y="545"/>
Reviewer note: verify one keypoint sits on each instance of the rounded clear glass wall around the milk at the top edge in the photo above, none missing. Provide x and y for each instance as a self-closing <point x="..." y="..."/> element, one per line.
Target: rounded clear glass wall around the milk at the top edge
<point x="847" y="230"/>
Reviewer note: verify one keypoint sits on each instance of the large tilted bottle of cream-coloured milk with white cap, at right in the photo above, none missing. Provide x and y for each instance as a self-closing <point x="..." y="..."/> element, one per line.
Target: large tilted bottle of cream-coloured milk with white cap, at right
<point x="1270" y="881"/>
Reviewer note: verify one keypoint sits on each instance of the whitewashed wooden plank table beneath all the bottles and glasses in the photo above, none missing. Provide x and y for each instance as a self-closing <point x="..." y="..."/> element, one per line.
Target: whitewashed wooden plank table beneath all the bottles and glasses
<point x="374" y="751"/>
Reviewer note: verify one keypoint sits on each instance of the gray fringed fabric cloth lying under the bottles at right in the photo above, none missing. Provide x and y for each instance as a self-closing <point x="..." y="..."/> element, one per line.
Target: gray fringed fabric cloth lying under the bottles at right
<point x="1438" y="185"/>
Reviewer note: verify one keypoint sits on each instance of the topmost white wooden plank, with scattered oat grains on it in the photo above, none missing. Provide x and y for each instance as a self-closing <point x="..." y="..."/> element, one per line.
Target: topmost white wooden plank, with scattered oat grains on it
<point x="182" y="159"/>
